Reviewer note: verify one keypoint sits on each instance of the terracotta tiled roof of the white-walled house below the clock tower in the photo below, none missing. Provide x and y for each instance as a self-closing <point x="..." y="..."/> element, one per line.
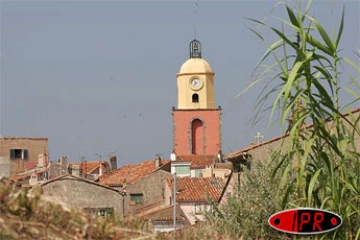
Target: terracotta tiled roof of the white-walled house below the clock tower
<point x="197" y="189"/>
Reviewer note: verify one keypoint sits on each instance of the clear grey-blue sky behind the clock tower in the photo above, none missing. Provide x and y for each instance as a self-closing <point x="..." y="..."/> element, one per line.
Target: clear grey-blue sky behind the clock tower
<point x="99" y="77"/>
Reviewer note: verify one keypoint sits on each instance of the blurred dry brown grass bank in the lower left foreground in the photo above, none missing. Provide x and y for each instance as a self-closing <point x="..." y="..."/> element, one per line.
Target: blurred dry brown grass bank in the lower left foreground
<point x="24" y="215"/>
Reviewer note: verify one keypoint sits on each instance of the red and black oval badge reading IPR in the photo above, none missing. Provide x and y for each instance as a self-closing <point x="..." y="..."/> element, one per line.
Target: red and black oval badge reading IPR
<point x="305" y="221"/>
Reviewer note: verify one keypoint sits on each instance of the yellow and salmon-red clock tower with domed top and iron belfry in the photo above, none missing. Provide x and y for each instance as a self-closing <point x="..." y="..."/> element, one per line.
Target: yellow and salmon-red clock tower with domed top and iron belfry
<point x="196" y="120"/>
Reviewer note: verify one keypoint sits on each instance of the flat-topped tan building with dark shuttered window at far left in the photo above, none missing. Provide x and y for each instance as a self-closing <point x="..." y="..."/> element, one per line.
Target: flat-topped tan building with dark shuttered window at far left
<point x="22" y="153"/>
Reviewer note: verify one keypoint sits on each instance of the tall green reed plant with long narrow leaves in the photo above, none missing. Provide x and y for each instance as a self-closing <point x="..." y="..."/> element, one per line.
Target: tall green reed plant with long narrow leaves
<point x="323" y="155"/>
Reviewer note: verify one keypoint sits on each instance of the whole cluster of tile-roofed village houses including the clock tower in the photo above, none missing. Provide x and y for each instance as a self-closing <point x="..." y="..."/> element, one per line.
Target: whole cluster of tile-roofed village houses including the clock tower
<point x="196" y="163"/>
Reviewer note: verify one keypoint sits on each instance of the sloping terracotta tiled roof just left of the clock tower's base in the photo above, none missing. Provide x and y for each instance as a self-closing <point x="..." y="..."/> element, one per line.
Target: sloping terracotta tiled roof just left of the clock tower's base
<point x="130" y="173"/>
